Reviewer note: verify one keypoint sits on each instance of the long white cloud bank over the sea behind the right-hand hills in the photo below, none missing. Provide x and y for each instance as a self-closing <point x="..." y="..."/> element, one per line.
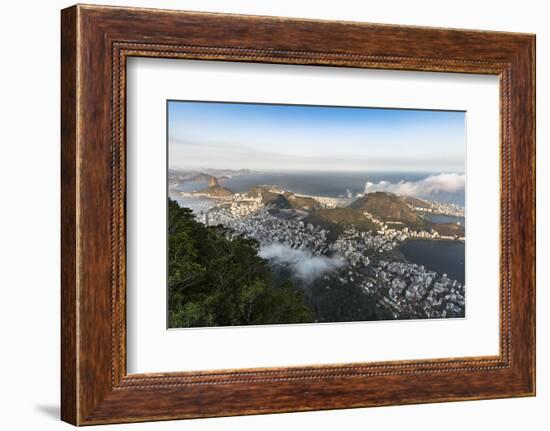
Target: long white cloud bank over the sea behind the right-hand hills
<point x="432" y="185"/>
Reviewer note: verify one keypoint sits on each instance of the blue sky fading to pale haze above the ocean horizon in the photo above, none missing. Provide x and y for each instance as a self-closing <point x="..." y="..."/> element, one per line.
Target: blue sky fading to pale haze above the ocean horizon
<point x="314" y="138"/>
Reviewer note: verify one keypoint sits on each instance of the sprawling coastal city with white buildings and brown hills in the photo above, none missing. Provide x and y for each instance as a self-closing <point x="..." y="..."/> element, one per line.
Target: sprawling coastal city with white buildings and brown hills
<point x="352" y="247"/>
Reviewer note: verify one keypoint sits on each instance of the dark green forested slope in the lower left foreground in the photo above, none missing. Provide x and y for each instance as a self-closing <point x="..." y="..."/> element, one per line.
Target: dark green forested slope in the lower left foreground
<point x="216" y="281"/>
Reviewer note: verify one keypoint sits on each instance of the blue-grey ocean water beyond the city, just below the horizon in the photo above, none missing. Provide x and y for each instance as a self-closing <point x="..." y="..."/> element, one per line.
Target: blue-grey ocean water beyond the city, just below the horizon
<point x="330" y="184"/>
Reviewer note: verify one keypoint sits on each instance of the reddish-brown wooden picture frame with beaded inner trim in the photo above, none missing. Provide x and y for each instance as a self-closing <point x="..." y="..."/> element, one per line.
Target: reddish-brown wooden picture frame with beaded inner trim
<point x="96" y="41"/>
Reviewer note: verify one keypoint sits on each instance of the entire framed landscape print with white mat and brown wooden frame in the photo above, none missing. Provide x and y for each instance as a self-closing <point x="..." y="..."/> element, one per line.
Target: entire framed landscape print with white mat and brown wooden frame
<point x="266" y="215"/>
